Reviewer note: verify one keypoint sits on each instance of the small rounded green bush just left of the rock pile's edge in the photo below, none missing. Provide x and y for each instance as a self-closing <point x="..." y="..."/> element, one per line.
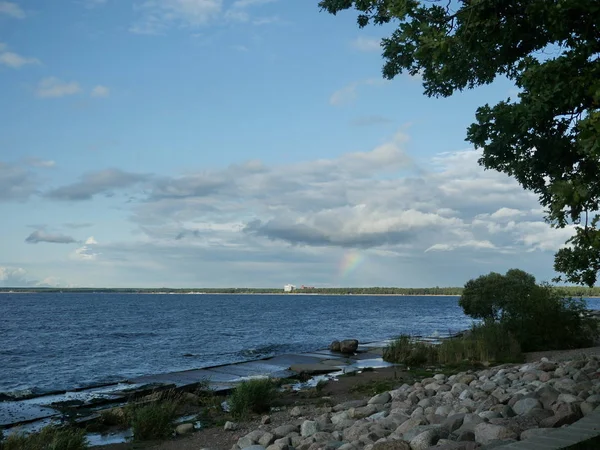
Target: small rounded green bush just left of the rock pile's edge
<point x="254" y="396"/>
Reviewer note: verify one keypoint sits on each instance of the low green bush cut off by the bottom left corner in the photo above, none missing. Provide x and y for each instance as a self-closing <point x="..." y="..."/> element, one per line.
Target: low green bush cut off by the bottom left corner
<point x="49" y="438"/>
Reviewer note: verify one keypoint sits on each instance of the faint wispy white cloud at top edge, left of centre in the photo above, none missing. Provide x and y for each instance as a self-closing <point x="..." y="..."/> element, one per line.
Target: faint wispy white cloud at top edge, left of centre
<point x="156" y="16"/>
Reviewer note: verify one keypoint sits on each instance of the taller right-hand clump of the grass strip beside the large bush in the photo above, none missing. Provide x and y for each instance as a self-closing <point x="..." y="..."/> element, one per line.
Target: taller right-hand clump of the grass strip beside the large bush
<point x="487" y="342"/>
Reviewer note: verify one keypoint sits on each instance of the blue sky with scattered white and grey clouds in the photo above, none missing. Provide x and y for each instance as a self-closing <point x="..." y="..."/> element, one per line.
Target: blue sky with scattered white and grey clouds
<point x="240" y="143"/>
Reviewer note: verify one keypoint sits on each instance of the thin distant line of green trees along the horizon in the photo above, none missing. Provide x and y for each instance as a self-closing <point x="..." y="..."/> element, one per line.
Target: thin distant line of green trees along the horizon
<point x="574" y="291"/>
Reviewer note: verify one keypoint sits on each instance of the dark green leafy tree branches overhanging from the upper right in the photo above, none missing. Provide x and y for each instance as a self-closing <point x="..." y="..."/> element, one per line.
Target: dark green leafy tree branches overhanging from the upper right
<point x="549" y="138"/>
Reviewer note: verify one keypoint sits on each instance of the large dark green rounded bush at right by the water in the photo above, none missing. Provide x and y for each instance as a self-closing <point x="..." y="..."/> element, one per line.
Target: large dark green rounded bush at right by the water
<point x="539" y="316"/>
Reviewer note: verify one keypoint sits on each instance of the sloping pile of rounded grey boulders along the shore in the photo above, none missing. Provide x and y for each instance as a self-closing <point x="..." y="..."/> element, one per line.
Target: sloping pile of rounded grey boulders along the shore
<point x="464" y="411"/>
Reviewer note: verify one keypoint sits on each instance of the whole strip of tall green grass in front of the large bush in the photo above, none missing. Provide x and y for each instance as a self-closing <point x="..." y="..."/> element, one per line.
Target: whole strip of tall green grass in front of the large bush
<point x="485" y="343"/>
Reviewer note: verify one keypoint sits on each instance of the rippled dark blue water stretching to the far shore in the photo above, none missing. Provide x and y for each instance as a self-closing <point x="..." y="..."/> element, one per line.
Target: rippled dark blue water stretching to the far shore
<point x="62" y="341"/>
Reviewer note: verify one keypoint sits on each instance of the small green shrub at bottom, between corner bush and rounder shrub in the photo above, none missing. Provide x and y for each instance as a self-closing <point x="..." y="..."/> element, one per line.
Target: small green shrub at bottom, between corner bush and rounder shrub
<point x="153" y="421"/>
